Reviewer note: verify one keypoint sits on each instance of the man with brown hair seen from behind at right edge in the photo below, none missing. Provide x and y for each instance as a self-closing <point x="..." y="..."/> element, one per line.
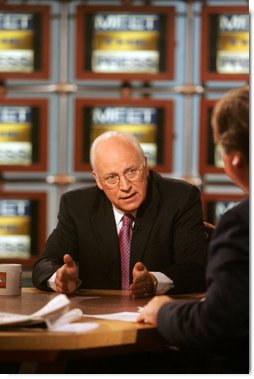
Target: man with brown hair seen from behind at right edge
<point x="221" y="321"/>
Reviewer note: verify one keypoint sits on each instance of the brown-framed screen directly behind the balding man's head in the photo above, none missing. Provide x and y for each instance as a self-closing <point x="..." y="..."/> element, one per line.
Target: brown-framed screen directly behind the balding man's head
<point x="149" y="120"/>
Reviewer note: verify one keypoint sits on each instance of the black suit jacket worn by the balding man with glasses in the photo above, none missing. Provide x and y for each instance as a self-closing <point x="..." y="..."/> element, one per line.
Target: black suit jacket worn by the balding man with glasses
<point x="170" y="237"/>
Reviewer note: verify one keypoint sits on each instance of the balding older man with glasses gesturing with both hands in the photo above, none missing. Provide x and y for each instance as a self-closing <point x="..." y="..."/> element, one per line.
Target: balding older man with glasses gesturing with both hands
<point x="169" y="244"/>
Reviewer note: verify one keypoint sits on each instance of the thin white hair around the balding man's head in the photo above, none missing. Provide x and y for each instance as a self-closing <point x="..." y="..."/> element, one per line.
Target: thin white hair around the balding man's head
<point x="113" y="133"/>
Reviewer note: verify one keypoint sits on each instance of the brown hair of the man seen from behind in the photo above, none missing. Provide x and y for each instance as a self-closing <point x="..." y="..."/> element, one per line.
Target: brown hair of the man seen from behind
<point x="230" y="121"/>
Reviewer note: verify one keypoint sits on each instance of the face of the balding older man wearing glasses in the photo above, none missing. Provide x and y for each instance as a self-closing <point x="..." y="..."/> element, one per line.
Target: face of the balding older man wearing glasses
<point x="116" y="157"/>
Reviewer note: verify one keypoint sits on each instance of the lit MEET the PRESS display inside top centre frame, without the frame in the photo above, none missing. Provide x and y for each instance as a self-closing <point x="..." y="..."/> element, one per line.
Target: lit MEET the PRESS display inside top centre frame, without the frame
<point x="126" y="43"/>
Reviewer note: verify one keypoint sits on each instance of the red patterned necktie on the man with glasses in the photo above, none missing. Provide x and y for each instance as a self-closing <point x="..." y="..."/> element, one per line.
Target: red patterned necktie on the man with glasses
<point x="125" y="246"/>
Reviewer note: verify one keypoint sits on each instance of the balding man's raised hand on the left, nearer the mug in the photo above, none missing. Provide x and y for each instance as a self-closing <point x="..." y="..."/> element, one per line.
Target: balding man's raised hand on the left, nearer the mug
<point x="66" y="280"/>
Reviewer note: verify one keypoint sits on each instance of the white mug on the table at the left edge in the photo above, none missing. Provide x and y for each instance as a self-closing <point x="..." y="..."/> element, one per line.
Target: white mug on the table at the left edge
<point x="10" y="279"/>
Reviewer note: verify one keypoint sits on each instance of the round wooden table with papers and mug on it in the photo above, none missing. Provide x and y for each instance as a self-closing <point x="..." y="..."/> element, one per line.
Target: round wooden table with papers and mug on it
<point x="39" y="346"/>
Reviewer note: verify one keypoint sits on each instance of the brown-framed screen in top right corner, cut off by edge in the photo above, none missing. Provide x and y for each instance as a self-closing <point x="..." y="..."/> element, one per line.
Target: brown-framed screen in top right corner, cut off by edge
<point x="225" y="43"/>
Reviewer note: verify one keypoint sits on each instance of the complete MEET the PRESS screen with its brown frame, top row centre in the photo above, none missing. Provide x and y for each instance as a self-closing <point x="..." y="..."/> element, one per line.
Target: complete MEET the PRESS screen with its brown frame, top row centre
<point x="125" y="42"/>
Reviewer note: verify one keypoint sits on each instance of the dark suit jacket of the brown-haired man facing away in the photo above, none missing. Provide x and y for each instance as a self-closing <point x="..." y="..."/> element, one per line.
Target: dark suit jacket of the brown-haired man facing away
<point x="222" y="320"/>
